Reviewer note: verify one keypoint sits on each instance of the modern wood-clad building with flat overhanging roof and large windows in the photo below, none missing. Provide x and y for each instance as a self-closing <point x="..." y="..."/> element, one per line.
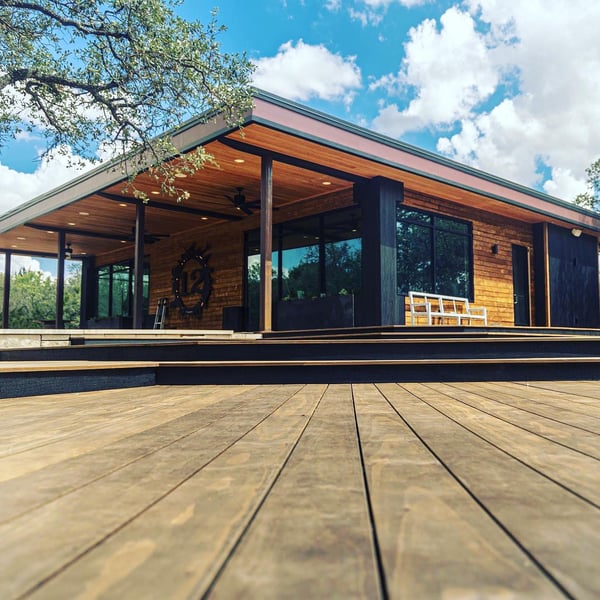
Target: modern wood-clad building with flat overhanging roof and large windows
<point x="342" y="221"/>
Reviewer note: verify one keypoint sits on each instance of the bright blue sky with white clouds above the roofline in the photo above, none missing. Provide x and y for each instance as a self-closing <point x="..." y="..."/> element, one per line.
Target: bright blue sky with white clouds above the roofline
<point x="508" y="86"/>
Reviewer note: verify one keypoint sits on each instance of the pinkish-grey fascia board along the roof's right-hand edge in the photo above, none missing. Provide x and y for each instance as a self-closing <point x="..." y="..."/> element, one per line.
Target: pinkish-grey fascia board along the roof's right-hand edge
<point x="289" y="117"/>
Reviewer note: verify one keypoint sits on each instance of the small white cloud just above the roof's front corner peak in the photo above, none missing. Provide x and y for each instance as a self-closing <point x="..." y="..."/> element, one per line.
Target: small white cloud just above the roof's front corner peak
<point x="305" y="71"/>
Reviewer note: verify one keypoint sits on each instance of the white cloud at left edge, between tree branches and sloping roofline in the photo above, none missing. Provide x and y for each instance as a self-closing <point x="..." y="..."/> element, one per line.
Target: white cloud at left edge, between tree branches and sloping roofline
<point x="17" y="188"/>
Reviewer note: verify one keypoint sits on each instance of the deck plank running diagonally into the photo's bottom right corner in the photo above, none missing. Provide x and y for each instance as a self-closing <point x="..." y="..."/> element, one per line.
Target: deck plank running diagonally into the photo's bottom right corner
<point x="558" y="529"/>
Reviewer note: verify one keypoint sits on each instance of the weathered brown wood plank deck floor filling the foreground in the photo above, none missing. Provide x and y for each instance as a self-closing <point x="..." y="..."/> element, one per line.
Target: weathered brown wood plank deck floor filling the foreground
<point x="438" y="490"/>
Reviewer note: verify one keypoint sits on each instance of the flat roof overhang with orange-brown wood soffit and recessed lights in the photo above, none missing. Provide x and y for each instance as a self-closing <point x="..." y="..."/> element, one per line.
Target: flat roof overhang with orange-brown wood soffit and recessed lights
<point x="308" y="149"/>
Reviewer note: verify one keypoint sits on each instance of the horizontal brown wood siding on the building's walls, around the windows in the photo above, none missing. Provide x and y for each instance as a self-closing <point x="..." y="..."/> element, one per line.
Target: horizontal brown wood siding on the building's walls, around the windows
<point x="493" y="282"/>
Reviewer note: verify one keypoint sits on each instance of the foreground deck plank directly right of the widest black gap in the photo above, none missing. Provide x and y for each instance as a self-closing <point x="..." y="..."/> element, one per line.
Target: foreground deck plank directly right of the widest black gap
<point x="435" y="540"/>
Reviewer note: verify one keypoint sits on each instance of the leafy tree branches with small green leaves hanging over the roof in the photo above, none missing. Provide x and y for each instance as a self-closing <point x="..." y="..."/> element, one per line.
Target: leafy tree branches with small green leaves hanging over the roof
<point x="116" y="73"/>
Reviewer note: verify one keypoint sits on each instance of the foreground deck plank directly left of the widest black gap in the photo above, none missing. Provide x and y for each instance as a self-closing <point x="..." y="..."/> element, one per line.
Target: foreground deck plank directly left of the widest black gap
<point x="312" y="538"/>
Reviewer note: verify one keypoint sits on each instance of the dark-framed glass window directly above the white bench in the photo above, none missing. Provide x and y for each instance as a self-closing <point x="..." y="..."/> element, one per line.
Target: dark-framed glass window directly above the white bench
<point x="433" y="253"/>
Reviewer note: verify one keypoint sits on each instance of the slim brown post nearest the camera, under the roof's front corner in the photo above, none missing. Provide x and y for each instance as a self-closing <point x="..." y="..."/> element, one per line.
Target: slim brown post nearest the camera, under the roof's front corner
<point x="266" y="245"/>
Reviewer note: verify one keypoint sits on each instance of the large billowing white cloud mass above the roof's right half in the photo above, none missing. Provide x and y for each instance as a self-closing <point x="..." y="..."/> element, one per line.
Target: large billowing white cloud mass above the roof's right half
<point x="515" y="83"/>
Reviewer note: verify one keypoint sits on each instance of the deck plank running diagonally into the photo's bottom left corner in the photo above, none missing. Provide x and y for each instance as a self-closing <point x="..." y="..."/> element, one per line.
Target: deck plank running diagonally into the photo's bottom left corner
<point x="63" y="530"/>
